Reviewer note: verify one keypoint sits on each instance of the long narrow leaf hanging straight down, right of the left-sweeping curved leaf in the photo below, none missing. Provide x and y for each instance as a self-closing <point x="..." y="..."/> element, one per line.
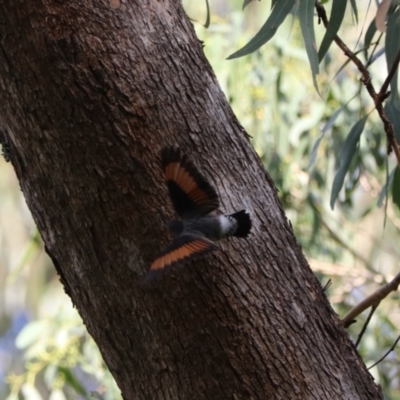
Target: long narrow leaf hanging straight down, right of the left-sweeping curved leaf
<point x="306" y="16"/>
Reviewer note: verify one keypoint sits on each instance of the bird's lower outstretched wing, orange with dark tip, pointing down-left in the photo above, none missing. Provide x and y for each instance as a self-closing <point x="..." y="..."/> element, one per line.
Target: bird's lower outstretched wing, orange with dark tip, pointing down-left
<point x="184" y="248"/>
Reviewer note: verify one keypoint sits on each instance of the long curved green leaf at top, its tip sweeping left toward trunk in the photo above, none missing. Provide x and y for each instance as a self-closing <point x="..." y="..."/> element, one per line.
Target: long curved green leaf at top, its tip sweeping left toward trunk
<point x="278" y="15"/>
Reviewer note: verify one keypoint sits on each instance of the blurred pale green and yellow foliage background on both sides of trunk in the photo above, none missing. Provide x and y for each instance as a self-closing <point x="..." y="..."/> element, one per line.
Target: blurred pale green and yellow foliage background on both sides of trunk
<point x="45" y="351"/>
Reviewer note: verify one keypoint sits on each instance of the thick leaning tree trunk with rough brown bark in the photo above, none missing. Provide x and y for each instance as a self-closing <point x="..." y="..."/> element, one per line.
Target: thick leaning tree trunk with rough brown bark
<point x="90" y="92"/>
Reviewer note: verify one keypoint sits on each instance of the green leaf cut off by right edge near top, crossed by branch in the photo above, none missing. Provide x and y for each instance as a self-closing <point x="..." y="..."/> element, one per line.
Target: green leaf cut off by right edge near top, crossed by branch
<point x="392" y="45"/>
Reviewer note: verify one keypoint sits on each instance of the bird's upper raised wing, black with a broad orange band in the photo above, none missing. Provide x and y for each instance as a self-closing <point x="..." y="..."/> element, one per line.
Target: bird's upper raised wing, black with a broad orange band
<point x="191" y="194"/>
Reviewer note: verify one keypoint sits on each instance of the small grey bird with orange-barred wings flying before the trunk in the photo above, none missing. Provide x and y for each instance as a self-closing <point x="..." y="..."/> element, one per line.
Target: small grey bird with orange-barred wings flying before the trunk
<point x="196" y="202"/>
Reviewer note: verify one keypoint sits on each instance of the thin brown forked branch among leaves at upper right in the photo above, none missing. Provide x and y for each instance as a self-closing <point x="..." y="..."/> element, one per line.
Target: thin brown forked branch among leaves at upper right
<point x="366" y="79"/>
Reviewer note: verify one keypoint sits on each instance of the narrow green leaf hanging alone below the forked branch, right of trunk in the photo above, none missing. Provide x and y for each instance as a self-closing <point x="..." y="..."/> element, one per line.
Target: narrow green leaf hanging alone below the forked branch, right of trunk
<point x="348" y="150"/>
